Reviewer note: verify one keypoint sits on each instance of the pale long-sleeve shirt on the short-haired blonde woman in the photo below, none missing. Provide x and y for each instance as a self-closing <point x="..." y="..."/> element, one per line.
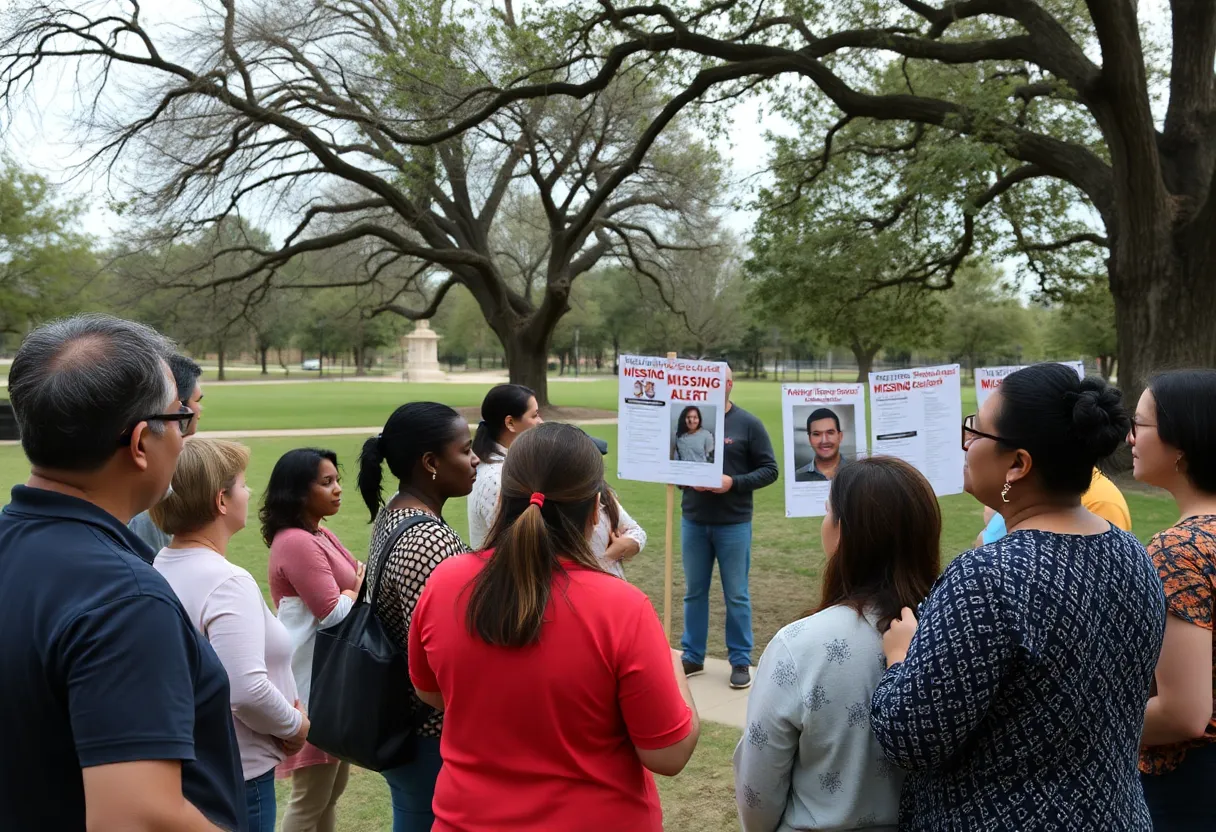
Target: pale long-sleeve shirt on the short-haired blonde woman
<point x="224" y="603"/>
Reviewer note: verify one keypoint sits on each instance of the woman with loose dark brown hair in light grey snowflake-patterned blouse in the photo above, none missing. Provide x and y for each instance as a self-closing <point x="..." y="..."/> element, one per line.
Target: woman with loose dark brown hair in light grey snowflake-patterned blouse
<point x="809" y="760"/>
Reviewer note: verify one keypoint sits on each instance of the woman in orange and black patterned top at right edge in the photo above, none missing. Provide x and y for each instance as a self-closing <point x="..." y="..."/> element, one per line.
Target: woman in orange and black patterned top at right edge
<point x="1174" y="446"/>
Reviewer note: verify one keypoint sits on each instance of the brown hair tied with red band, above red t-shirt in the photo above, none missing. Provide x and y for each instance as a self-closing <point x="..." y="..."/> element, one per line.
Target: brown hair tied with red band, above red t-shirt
<point x="565" y="470"/>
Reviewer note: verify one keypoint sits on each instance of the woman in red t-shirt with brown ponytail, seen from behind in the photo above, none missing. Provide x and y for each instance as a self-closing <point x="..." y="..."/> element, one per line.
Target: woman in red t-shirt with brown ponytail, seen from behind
<point x="561" y="694"/>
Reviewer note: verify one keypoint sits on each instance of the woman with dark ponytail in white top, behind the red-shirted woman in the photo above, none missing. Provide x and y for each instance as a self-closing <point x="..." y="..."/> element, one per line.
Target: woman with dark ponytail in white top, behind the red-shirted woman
<point x="508" y="412"/>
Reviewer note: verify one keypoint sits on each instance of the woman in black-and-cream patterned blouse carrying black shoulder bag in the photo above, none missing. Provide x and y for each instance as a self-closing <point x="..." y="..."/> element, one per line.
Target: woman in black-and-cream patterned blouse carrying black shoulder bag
<point x="429" y="451"/>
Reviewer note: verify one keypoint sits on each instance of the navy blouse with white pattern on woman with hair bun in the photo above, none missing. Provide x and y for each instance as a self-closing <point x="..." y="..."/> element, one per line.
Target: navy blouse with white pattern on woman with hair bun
<point x="1022" y="699"/>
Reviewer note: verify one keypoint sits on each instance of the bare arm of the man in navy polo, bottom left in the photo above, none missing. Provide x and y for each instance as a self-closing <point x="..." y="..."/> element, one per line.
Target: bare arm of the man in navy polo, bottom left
<point x="144" y="796"/>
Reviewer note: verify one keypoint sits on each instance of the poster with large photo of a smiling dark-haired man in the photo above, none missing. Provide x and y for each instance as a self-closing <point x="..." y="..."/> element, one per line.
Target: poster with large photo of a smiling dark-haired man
<point x="825" y="428"/>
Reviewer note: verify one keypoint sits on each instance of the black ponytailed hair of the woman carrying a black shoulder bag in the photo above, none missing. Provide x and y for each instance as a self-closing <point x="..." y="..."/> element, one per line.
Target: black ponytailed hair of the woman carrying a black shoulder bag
<point x="412" y="432"/>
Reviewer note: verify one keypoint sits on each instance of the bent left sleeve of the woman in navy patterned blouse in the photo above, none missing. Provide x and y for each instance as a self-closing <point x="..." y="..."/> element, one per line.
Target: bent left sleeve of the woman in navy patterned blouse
<point x="927" y="706"/>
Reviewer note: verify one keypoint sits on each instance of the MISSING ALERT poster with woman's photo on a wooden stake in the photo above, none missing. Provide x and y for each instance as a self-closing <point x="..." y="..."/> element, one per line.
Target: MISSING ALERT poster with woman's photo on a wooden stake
<point x="672" y="421"/>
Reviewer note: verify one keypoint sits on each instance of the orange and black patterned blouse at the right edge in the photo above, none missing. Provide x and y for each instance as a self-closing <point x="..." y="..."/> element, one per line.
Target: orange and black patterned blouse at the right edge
<point x="1186" y="561"/>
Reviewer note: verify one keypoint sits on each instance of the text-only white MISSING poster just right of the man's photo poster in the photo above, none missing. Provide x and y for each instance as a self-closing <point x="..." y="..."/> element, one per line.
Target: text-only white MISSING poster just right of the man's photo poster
<point x="919" y="417"/>
